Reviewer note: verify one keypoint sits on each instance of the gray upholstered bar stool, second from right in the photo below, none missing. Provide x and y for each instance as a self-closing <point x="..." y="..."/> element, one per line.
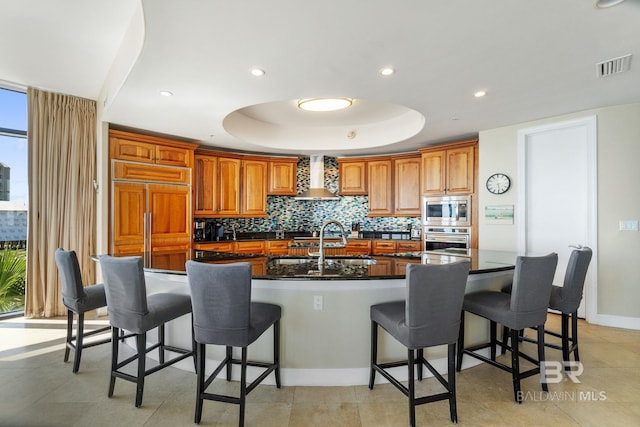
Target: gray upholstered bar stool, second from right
<point x="525" y="307"/>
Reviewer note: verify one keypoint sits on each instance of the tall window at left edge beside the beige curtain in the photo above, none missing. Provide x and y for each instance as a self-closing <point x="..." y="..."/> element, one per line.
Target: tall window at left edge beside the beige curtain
<point x="13" y="199"/>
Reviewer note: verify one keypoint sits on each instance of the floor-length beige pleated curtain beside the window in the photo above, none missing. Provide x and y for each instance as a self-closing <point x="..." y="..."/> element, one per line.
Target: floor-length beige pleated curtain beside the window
<point x="62" y="200"/>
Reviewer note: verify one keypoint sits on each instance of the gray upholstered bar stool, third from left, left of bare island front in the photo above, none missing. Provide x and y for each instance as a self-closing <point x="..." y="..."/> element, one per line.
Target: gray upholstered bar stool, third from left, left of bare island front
<point x="223" y="314"/>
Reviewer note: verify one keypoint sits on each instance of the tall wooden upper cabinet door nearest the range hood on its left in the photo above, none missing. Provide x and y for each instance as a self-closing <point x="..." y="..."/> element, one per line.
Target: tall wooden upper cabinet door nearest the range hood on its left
<point x="254" y="188"/>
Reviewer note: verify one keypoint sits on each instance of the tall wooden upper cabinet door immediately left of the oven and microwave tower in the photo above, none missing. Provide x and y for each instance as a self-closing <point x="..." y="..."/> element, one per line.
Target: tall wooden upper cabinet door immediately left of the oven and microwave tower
<point x="406" y="178"/>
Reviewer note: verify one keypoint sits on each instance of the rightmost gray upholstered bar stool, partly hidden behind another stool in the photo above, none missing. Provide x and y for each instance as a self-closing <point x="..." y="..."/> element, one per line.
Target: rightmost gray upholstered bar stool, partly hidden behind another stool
<point x="566" y="299"/>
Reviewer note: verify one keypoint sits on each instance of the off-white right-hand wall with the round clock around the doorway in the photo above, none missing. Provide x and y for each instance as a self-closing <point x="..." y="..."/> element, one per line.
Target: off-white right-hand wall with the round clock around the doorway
<point x="618" y="179"/>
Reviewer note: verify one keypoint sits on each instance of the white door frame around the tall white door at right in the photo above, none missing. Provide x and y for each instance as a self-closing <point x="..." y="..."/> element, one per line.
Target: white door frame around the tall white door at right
<point x="589" y="123"/>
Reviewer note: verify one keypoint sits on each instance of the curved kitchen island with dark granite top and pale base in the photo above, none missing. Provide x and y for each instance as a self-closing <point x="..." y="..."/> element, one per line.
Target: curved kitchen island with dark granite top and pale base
<point x="325" y="322"/>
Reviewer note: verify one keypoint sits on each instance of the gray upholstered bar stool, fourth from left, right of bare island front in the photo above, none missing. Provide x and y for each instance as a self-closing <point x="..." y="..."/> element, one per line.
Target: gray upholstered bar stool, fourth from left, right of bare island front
<point x="429" y="316"/>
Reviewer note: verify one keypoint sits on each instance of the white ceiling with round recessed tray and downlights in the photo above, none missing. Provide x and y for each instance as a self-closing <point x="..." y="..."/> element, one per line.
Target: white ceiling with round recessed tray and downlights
<point x="534" y="58"/>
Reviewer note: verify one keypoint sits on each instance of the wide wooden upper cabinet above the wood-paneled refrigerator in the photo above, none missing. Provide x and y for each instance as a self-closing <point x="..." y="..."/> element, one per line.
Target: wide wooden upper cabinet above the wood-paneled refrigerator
<point x="149" y="149"/>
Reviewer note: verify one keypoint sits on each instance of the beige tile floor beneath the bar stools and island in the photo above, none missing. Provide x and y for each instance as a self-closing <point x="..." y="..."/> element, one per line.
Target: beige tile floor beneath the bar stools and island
<point x="38" y="389"/>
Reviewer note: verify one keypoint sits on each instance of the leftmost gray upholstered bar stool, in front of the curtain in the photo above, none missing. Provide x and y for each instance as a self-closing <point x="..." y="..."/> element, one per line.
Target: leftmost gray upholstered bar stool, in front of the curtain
<point x="78" y="299"/>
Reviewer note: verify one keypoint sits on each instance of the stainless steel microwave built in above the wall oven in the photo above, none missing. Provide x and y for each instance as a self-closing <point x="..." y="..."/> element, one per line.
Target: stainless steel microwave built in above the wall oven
<point x="446" y="211"/>
